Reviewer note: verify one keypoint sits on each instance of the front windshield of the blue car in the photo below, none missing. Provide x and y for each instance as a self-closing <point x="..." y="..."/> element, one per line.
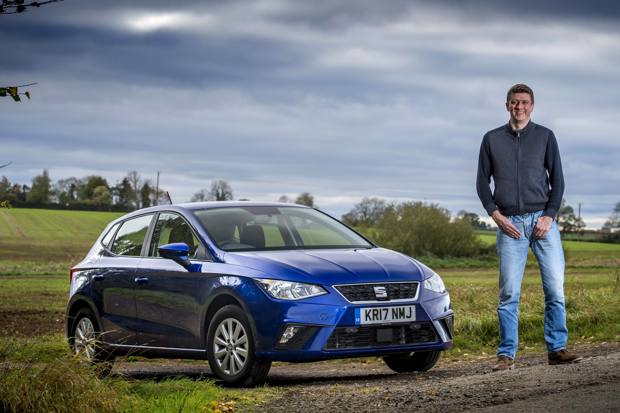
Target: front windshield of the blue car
<point x="263" y="228"/>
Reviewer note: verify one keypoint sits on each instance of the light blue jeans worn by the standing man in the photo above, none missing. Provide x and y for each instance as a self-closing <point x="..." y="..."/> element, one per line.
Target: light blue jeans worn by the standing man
<point x="512" y="258"/>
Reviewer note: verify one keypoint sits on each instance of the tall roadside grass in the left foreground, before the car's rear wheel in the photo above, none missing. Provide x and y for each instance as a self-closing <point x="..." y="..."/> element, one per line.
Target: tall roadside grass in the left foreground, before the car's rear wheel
<point x="38" y="375"/>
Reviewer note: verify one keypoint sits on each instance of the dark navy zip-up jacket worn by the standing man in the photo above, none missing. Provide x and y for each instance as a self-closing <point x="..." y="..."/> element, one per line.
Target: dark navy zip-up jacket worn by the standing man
<point x="526" y="170"/>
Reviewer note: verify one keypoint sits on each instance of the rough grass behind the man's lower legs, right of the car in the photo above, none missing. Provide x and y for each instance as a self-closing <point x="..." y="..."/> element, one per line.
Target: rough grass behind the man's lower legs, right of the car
<point x="592" y="304"/>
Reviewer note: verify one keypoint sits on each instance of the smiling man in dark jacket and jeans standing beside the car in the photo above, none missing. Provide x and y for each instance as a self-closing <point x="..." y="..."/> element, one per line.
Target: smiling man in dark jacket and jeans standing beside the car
<point x="524" y="161"/>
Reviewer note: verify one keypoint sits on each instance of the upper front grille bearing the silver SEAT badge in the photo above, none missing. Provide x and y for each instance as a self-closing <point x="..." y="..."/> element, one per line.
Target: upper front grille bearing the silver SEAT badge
<point x="366" y="292"/>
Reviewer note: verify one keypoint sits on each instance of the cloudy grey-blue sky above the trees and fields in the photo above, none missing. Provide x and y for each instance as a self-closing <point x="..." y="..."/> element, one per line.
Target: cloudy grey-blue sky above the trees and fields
<point x="342" y="99"/>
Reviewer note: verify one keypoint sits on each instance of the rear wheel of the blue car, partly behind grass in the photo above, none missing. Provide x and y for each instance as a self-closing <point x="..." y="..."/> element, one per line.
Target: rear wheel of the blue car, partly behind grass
<point x="86" y="345"/>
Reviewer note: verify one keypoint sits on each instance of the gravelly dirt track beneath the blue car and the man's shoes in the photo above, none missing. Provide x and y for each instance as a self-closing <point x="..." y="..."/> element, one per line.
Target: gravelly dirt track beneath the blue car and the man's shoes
<point x="369" y="386"/>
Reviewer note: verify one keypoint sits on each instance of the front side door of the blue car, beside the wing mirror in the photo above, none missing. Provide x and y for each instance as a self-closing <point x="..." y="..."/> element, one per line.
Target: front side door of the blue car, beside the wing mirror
<point x="170" y="299"/>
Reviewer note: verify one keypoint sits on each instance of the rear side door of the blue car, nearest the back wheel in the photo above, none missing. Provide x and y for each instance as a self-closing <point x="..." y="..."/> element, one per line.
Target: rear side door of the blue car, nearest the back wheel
<point x="114" y="281"/>
